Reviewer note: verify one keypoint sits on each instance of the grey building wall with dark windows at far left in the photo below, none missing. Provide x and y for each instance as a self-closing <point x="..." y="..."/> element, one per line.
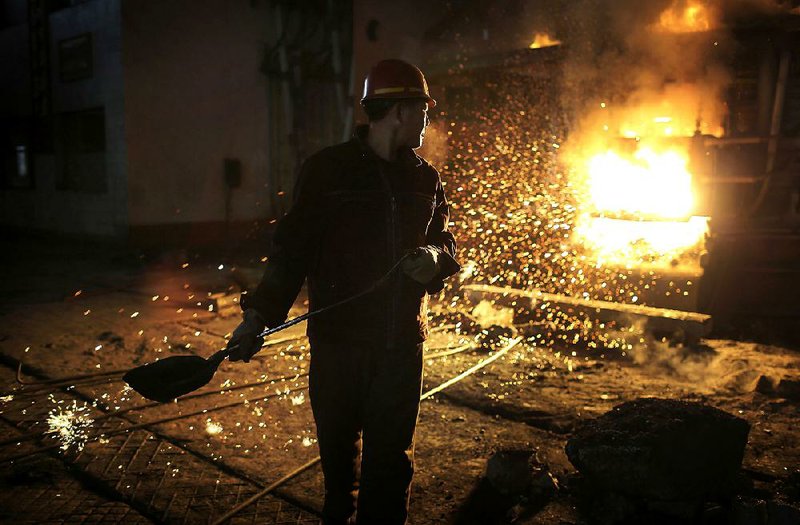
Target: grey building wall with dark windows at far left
<point x="67" y="210"/>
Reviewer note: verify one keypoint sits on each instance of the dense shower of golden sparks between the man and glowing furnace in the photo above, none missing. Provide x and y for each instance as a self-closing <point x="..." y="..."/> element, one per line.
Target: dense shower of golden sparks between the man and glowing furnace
<point x="518" y="213"/>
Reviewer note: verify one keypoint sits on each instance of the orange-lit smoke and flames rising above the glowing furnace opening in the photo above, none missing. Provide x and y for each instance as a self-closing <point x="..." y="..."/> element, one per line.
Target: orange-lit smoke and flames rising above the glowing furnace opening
<point x="629" y="62"/>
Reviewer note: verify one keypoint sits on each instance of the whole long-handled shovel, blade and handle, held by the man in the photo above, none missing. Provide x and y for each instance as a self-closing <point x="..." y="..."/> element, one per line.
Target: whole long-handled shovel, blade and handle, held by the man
<point x="166" y="379"/>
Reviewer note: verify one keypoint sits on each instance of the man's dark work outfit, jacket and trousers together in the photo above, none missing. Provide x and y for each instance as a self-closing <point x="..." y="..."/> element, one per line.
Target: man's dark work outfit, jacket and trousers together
<point x="353" y="217"/>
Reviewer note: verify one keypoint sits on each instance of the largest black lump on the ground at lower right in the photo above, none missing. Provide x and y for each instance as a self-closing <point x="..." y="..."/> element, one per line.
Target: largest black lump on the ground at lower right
<point x="665" y="456"/>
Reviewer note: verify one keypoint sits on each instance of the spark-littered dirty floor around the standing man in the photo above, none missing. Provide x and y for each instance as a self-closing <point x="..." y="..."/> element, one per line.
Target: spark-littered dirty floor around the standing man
<point x="72" y="308"/>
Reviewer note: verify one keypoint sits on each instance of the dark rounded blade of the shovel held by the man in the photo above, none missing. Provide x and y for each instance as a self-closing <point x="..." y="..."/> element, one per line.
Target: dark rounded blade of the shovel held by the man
<point x="169" y="378"/>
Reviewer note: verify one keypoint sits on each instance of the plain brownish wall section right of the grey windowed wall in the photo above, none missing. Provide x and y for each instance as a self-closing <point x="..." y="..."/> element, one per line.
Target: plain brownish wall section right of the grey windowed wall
<point x="194" y="96"/>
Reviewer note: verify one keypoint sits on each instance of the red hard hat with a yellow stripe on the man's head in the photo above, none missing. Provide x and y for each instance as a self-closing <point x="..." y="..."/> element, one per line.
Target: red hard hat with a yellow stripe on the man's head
<point x="396" y="79"/>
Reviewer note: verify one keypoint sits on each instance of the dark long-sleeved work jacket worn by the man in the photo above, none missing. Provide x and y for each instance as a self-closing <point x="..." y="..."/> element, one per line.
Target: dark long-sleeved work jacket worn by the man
<point x="354" y="215"/>
